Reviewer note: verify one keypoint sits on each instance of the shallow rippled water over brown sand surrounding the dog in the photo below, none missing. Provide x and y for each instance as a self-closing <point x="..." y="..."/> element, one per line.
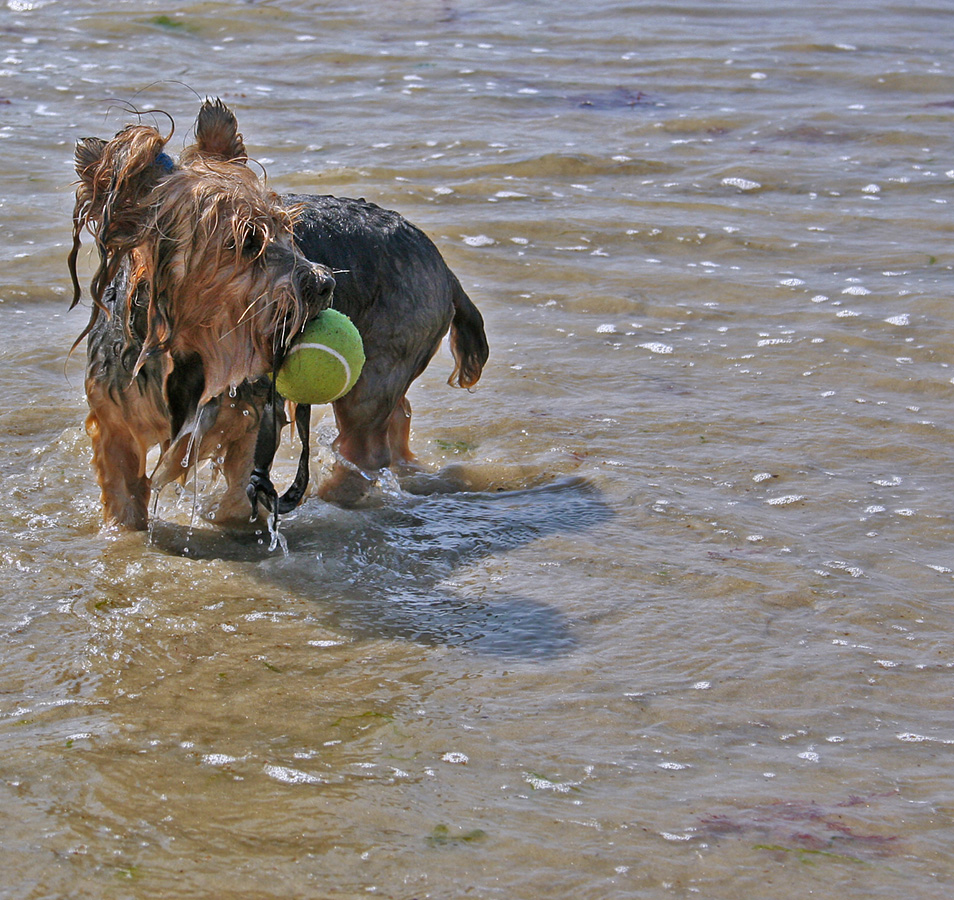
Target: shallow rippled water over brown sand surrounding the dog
<point x="686" y="633"/>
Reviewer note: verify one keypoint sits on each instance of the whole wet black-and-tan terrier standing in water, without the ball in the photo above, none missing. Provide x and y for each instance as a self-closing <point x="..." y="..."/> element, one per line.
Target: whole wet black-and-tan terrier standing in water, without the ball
<point x="204" y="277"/>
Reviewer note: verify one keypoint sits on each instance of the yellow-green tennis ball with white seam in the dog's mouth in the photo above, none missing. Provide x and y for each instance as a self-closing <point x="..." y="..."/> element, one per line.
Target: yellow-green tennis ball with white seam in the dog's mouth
<point x="323" y="362"/>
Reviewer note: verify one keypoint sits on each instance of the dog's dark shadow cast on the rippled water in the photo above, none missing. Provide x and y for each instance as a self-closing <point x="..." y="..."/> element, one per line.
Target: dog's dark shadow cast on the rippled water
<point x="400" y="570"/>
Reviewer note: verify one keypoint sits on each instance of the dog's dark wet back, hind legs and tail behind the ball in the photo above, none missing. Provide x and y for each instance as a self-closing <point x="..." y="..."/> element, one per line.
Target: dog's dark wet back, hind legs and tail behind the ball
<point x="395" y="286"/>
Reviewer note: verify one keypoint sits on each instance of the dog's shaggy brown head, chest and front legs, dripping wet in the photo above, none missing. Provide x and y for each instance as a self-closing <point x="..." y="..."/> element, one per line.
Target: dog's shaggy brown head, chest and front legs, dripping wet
<point x="199" y="288"/>
